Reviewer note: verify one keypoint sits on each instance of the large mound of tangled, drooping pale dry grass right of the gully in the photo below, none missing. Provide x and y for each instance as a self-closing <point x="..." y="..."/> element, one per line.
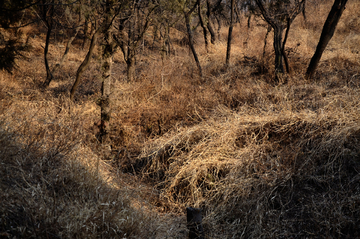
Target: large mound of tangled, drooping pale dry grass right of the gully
<point x="272" y="177"/>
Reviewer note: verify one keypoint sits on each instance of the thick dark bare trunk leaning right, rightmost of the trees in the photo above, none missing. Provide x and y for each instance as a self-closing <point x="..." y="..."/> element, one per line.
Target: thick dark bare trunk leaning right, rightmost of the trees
<point x="326" y="35"/>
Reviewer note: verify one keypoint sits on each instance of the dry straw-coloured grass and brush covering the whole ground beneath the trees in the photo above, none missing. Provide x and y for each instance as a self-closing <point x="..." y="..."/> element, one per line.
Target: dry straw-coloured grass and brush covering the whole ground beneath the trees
<point x="262" y="160"/>
